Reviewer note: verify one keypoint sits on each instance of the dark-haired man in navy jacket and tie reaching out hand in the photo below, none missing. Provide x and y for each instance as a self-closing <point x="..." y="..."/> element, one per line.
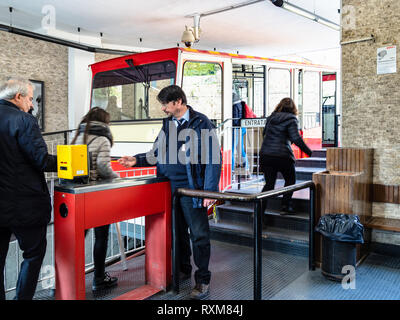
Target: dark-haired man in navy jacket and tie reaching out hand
<point x="187" y="152"/>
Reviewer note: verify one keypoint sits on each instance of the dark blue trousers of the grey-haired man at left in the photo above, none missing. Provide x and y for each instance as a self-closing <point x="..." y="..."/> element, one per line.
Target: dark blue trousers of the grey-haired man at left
<point x="32" y="242"/>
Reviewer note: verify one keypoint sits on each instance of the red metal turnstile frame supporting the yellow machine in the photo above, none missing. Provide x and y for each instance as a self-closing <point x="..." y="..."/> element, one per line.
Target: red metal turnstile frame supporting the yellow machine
<point x="75" y="211"/>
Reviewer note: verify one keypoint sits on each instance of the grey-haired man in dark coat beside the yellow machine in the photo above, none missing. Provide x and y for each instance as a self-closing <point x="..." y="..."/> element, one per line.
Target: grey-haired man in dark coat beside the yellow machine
<point x="25" y="206"/>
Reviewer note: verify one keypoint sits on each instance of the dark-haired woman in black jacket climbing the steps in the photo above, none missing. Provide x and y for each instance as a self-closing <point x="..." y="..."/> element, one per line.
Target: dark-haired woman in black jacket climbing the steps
<point x="276" y="154"/>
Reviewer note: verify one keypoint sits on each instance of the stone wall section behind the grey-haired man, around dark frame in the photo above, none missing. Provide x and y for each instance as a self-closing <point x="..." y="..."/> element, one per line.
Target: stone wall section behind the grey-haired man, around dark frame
<point x="39" y="60"/>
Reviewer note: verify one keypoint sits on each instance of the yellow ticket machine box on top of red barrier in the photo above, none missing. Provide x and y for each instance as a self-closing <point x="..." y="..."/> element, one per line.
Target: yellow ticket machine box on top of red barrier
<point x="72" y="161"/>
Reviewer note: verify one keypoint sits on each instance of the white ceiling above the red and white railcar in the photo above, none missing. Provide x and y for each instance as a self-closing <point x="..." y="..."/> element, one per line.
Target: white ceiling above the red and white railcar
<point x="260" y="29"/>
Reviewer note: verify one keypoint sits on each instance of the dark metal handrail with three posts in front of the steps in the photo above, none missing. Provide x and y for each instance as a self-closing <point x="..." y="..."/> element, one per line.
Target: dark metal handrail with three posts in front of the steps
<point x="257" y="199"/>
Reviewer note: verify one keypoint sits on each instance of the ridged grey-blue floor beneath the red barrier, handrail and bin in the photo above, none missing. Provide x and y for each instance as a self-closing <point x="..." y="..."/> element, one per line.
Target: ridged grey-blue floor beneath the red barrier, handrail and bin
<point x="285" y="277"/>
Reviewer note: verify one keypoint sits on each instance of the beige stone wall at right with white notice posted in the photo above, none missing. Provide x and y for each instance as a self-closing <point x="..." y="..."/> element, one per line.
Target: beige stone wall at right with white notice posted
<point x="371" y="102"/>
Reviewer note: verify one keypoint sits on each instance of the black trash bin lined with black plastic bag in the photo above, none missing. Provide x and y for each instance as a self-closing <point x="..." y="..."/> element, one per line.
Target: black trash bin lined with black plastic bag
<point x="340" y="234"/>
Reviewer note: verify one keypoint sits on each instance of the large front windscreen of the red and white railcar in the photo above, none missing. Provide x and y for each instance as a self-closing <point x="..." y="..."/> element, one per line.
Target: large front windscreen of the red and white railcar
<point x="130" y="93"/>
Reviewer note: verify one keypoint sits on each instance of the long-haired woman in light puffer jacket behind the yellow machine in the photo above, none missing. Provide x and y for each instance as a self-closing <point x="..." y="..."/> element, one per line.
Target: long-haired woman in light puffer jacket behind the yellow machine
<point x="94" y="131"/>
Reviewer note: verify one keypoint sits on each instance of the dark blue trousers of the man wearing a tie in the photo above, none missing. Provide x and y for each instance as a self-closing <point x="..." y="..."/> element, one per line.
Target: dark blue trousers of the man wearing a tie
<point x="196" y="220"/>
